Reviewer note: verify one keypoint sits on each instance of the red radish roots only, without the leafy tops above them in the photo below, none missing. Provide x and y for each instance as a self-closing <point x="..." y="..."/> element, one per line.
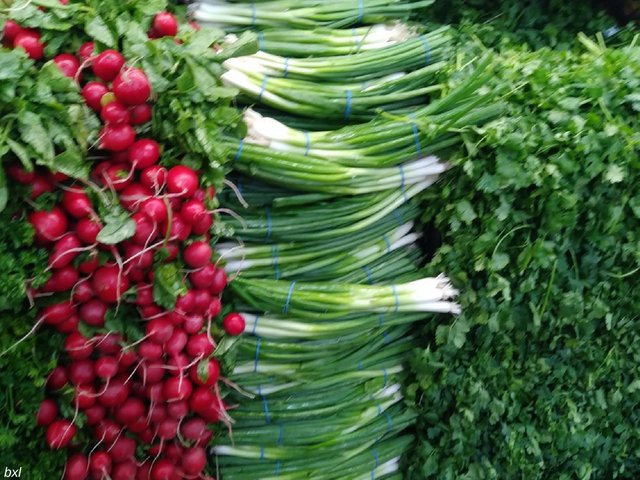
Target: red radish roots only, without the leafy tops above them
<point x="145" y="405"/>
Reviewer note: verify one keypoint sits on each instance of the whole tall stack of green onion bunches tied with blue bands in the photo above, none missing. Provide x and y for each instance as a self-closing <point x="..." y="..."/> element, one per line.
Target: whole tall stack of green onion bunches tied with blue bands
<point x="323" y="256"/>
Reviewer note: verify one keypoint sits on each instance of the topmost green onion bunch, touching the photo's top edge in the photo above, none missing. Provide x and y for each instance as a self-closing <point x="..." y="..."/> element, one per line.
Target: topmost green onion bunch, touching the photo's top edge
<point x="306" y="14"/>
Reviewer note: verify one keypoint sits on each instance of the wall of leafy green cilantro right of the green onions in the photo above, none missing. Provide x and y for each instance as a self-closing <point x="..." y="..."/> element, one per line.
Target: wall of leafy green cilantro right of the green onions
<point x="540" y="228"/>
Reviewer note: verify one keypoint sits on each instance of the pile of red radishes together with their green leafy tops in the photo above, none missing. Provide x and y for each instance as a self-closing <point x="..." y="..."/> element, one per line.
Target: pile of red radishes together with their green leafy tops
<point x="126" y="222"/>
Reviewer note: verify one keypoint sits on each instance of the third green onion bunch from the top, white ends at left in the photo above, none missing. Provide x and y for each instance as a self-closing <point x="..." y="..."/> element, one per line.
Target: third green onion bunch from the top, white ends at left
<point x="427" y="50"/>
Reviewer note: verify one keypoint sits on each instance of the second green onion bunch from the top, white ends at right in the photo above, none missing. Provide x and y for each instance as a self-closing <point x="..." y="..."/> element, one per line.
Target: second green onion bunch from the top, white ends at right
<point x="322" y="41"/>
